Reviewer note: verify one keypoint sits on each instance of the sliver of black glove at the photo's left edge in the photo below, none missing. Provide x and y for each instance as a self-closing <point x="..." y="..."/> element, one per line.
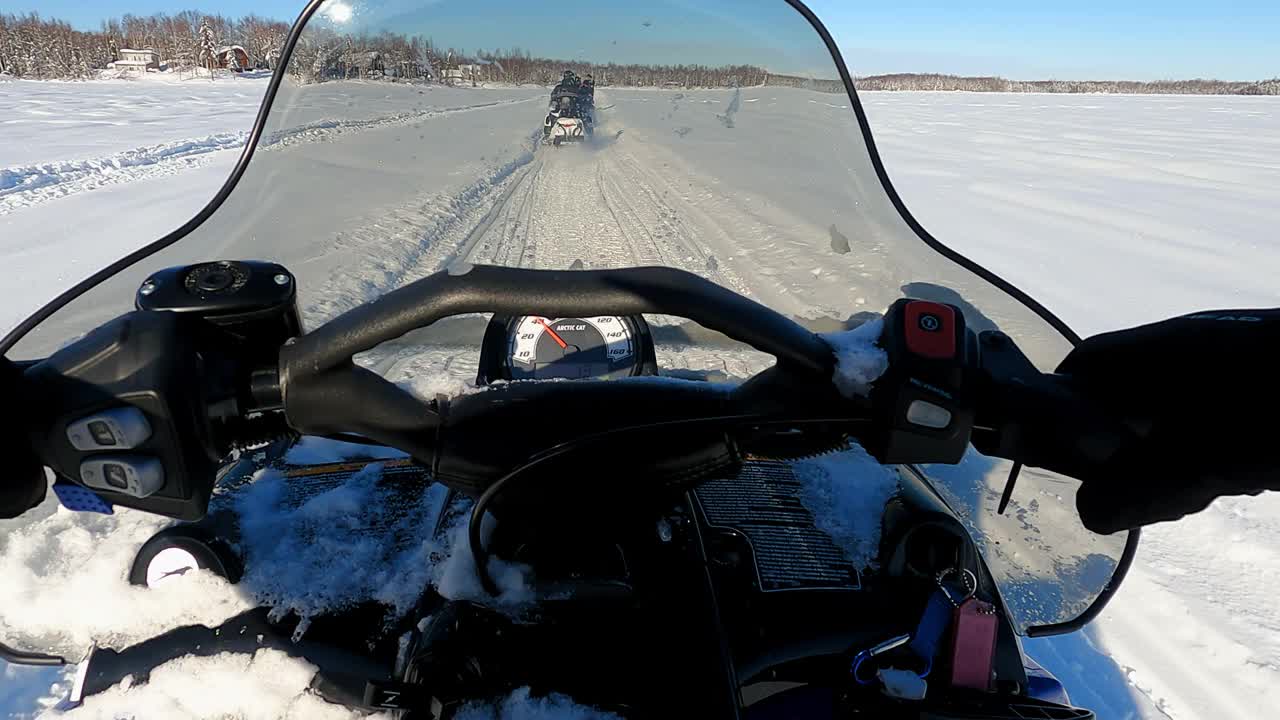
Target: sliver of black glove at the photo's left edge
<point x="22" y="484"/>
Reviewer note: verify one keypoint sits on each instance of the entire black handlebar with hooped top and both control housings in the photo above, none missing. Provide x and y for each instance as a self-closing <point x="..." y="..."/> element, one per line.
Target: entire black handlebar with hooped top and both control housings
<point x="213" y="394"/>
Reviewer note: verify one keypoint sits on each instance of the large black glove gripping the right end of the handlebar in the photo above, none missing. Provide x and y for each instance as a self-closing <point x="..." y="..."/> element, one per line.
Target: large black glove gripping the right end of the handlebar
<point x="1203" y="394"/>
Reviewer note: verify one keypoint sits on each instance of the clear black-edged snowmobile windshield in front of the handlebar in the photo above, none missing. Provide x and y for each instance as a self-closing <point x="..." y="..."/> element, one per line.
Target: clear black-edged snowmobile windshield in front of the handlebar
<point x="404" y="136"/>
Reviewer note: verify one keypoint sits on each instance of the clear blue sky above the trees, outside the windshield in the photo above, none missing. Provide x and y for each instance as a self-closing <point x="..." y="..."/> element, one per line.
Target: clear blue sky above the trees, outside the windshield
<point x="1023" y="39"/>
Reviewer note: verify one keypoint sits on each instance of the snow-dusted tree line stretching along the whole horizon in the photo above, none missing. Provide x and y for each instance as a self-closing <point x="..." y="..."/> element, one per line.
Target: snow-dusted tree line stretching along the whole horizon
<point x="48" y="49"/>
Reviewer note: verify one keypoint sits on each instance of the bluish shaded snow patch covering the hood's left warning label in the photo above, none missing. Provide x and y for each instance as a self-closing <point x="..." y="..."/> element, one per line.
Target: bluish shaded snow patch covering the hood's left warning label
<point x="336" y="550"/>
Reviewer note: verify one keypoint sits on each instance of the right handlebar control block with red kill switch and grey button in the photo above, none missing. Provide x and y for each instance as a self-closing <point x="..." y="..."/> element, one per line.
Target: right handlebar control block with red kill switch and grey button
<point x="924" y="403"/>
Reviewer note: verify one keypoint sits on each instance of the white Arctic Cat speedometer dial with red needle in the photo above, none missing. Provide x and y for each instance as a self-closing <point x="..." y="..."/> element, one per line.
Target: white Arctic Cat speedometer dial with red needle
<point x="572" y="348"/>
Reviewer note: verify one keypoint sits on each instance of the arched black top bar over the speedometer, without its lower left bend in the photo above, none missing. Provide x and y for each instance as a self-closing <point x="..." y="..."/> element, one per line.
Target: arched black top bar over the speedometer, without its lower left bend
<point x="518" y="291"/>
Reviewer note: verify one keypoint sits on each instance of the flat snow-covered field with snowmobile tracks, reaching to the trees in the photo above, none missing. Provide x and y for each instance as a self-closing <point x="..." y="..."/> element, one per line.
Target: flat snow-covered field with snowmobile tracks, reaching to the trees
<point x="1112" y="211"/>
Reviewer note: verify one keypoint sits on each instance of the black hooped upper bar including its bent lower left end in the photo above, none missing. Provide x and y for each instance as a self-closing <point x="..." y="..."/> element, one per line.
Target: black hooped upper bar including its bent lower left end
<point x="324" y="393"/>
